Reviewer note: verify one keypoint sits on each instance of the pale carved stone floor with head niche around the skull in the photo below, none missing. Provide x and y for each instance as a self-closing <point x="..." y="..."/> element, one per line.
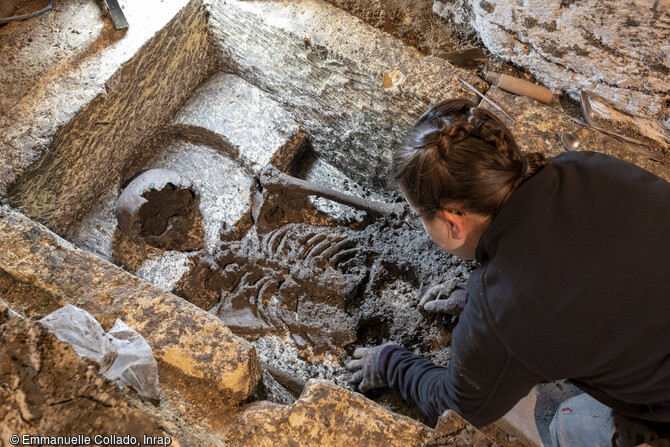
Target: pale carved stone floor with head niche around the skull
<point x="219" y="138"/>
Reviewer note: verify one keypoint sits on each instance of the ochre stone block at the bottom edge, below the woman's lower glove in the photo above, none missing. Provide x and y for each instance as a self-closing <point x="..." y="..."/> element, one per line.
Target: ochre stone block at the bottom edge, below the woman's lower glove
<point x="326" y="415"/>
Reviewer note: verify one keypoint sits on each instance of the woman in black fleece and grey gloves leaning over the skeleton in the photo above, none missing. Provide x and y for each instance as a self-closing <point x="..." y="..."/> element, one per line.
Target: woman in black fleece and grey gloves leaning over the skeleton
<point x="572" y="282"/>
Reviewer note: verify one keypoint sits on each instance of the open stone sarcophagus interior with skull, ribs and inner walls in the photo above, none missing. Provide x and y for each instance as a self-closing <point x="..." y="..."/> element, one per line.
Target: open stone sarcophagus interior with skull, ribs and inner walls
<point x="172" y="183"/>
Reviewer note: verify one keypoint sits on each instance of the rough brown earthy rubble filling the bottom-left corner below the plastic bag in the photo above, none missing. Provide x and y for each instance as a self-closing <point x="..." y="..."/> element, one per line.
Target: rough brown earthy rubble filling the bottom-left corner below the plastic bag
<point x="108" y="399"/>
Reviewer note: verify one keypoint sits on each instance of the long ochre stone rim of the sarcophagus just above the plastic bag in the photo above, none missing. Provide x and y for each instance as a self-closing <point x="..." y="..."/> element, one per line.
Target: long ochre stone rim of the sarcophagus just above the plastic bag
<point x="214" y="364"/>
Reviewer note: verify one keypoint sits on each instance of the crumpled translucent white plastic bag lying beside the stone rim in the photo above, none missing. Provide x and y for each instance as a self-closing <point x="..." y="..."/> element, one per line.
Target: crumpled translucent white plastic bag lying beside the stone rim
<point x="123" y="355"/>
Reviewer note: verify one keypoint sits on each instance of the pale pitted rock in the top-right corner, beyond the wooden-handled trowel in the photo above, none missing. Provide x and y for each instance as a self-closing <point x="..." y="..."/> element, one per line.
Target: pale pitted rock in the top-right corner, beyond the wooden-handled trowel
<point x="619" y="51"/>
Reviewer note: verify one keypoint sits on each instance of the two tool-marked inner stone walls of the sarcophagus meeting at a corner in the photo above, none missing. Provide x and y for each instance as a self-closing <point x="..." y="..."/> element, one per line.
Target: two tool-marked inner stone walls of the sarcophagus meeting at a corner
<point x="338" y="93"/>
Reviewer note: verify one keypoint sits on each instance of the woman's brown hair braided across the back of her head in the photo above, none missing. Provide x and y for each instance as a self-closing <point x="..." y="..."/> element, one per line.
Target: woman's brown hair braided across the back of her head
<point x="460" y="154"/>
